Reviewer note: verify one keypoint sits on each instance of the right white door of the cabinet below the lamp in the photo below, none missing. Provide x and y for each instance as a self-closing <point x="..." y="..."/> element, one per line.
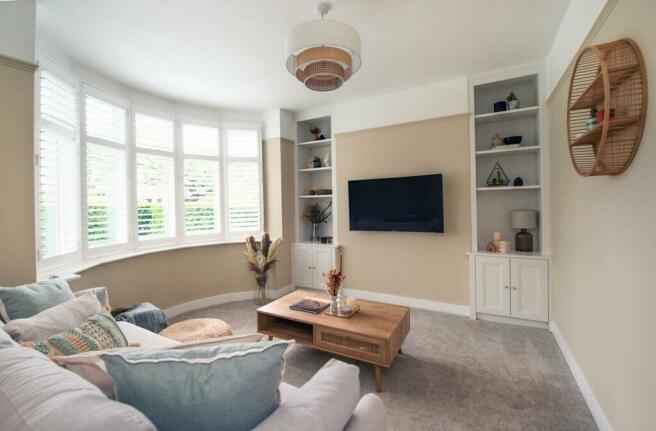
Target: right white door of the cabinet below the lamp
<point x="529" y="289"/>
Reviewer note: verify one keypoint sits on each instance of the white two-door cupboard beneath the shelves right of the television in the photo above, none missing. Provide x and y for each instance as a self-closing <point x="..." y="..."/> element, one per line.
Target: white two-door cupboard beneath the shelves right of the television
<point x="512" y="287"/>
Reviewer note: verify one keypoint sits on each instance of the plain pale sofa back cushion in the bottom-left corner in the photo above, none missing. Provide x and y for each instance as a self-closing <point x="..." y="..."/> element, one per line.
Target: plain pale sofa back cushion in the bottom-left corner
<point x="36" y="394"/>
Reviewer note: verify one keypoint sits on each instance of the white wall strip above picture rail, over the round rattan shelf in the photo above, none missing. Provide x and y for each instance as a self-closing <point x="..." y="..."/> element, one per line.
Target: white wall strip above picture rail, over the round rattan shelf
<point x="580" y="17"/>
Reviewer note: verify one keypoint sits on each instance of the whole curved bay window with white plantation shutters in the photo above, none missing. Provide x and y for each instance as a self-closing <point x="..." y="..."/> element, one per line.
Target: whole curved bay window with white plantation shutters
<point x="131" y="178"/>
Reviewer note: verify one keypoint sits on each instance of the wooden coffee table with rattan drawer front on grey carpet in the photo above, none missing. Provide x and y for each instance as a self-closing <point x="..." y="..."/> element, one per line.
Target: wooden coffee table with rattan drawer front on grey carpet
<point x="373" y="335"/>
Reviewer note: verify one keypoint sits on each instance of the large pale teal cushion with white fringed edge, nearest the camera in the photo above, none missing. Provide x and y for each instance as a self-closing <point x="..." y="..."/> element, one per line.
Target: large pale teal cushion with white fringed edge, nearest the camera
<point x="226" y="387"/>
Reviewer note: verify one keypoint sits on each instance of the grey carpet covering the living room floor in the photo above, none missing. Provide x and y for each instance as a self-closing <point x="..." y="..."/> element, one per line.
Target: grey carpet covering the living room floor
<point x="455" y="374"/>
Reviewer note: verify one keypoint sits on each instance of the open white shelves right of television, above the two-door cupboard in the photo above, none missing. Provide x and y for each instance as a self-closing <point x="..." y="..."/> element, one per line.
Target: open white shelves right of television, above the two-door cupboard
<point x="492" y="204"/>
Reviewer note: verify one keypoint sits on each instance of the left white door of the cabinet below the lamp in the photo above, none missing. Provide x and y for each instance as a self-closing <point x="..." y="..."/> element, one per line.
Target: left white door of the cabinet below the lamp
<point x="493" y="285"/>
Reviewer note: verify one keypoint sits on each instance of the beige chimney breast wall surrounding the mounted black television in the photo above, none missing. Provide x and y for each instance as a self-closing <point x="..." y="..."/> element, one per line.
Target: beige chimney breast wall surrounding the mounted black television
<point x="421" y="265"/>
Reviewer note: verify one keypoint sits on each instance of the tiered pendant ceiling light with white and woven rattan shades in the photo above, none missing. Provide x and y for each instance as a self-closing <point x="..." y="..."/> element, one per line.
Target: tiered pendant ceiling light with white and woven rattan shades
<point x="323" y="54"/>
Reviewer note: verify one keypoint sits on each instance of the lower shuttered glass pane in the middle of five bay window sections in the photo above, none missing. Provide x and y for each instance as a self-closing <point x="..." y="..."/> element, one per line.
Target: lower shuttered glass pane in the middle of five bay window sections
<point x="155" y="197"/>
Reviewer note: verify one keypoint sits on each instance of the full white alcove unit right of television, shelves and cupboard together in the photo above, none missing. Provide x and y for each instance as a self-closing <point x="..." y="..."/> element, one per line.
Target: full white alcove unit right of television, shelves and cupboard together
<point x="509" y="287"/>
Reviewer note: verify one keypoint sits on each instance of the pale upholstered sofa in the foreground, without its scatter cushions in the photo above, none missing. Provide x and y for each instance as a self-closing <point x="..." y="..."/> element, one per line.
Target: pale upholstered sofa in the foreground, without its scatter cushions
<point x="37" y="394"/>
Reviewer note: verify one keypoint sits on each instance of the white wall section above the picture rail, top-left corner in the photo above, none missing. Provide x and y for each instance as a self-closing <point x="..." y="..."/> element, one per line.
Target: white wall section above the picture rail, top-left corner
<point x="17" y="24"/>
